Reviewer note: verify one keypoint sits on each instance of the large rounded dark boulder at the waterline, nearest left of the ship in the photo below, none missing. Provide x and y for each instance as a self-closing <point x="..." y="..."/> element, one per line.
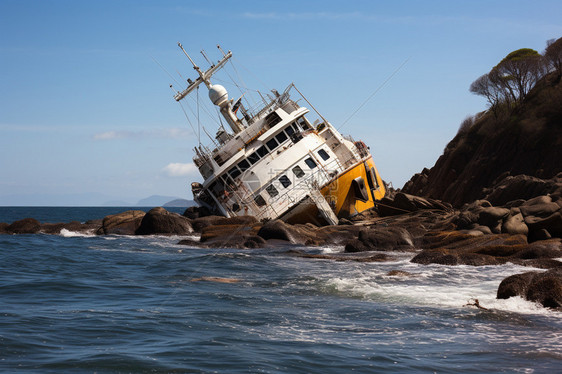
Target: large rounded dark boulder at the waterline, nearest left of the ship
<point x="160" y="221"/>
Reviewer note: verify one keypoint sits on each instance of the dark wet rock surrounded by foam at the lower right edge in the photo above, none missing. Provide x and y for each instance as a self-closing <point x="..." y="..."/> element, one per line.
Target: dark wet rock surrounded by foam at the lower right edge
<point x="544" y="288"/>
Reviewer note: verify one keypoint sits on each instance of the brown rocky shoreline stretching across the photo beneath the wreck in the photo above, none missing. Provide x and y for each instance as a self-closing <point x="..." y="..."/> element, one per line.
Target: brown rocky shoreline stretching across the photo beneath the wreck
<point x="502" y="228"/>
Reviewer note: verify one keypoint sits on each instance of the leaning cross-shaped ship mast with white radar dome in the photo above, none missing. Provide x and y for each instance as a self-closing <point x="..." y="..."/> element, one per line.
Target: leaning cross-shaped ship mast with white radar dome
<point x="217" y="93"/>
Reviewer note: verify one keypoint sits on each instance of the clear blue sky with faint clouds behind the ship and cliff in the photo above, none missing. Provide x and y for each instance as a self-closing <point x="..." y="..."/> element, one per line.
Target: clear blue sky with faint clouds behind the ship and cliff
<point x="87" y="115"/>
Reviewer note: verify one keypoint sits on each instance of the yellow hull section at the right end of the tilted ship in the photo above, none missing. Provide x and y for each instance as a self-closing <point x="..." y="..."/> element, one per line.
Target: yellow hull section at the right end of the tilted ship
<point x="342" y="195"/>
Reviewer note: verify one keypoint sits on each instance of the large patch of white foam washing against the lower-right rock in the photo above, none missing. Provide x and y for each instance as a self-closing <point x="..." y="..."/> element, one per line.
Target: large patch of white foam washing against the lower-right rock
<point x="434" y="285"/>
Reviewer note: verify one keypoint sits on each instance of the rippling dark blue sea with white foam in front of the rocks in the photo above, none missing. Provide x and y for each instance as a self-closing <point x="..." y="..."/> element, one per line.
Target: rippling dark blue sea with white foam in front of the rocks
<point x="81" y="303"/>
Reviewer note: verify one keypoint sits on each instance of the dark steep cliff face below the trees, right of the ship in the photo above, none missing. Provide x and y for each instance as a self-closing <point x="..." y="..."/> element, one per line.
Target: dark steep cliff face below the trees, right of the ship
<point x="525" y="140"/>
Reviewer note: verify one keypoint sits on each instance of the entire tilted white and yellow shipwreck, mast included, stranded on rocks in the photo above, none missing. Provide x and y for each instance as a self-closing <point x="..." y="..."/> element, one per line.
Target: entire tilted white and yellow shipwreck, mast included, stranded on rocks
<point x="275" y="163"/>
